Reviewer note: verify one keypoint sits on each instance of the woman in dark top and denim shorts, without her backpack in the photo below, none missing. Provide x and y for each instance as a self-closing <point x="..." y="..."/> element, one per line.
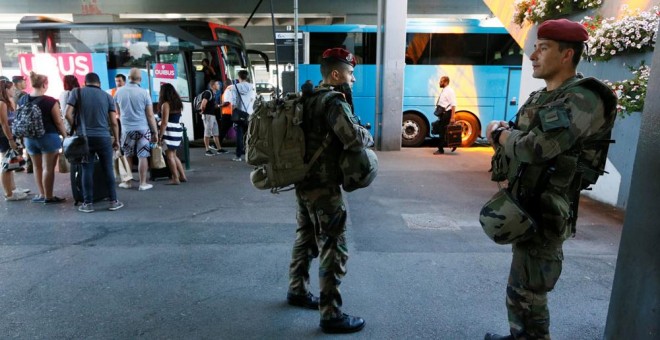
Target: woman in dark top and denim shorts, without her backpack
<point x="45" y="149"/>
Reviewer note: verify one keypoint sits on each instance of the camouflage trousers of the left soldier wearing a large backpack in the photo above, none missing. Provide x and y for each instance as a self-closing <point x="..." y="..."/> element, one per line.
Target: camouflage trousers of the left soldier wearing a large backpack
<point x="321" y="226"/>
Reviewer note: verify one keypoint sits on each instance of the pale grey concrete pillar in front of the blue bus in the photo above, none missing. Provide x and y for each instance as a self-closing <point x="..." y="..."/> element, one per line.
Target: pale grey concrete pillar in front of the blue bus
<point x="392" y="16"/>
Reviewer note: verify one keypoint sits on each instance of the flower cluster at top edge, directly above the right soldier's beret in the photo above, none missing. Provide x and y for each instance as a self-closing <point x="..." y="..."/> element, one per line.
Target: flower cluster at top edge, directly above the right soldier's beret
<point x="537" y="11"/>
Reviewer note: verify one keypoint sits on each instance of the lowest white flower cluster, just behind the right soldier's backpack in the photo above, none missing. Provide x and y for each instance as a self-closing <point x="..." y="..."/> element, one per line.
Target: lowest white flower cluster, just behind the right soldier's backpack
<point x="632" y="92"/>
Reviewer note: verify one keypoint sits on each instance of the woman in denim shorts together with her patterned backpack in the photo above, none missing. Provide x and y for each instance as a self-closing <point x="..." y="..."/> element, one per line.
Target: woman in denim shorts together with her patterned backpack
<point x="40" y="124"/>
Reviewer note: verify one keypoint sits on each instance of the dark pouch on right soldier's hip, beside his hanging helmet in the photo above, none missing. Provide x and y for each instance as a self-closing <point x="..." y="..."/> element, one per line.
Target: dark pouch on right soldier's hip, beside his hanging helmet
<point x="555" y="215"/>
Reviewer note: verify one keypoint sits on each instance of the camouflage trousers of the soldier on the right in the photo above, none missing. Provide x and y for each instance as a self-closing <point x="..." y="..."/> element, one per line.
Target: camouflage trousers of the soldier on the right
<point x="530" y="279"/>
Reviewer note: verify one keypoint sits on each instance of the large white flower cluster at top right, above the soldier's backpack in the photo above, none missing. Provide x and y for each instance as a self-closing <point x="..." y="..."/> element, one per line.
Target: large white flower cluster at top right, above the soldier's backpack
<point x="635" y="32"/>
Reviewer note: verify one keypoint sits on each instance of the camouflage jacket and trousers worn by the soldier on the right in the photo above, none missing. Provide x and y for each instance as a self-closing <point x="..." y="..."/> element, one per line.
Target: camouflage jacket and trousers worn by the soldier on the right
<point x="551" y="125"/>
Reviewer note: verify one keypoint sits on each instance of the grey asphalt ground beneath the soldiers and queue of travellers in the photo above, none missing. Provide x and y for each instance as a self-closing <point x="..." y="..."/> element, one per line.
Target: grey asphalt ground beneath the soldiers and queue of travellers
<point x="208" y="259"/>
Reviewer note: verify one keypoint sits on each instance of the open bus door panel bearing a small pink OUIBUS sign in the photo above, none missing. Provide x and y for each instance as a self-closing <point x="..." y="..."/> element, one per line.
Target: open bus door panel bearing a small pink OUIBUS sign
<point x="176" y="68"/>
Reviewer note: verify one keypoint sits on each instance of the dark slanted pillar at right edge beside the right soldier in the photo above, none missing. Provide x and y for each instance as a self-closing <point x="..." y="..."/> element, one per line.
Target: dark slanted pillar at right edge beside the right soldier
<point x="634" y="311"/>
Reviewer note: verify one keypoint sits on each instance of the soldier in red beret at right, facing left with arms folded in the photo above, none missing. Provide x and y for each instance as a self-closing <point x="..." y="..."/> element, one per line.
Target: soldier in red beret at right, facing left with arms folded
<point x="542" y="150"/>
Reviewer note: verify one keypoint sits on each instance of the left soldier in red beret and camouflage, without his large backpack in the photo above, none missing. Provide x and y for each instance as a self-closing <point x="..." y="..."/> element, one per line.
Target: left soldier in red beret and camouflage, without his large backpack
<point x="328" y="123"/>
